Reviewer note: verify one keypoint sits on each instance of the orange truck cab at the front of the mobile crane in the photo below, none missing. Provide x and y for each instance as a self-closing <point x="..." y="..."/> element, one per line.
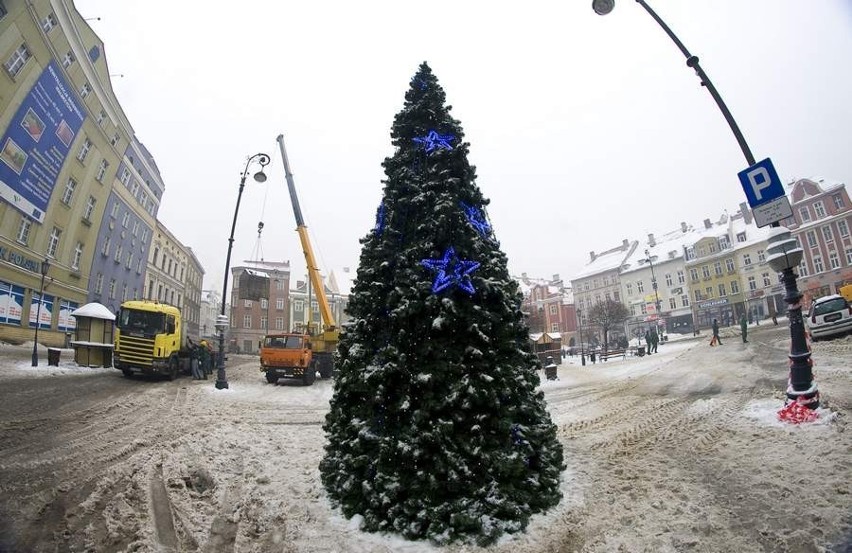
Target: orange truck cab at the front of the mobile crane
<point x="288" y="355"/>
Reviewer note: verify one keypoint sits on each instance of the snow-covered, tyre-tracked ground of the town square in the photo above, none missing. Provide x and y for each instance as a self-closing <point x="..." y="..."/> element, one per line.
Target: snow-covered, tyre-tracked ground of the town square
<point x="678" y="451"/>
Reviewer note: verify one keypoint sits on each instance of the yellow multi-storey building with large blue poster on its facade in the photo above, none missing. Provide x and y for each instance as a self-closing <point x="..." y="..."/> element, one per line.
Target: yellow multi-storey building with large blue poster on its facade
<point x="57" y="161"/>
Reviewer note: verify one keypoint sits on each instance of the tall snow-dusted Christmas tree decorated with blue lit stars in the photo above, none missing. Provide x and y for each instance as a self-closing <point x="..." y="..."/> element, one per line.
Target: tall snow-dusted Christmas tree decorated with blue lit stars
<point x="436" y="429"/>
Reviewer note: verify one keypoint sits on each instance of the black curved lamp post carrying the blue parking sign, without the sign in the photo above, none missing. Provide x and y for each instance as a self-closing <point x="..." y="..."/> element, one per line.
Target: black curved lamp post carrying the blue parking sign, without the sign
<point x="788" y="255"/>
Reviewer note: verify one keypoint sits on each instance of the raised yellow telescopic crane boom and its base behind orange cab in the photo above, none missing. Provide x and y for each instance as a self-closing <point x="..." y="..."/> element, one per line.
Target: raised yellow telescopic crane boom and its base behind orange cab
<point x="324" y="342"/>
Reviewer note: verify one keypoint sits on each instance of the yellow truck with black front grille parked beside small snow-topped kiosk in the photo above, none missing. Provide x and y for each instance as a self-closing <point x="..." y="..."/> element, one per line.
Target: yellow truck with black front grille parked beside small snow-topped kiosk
<point x="150" y="339"/>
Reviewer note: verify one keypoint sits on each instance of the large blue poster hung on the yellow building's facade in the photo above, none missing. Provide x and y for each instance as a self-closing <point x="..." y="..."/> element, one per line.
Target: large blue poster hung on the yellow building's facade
<point x="34" y="147"/>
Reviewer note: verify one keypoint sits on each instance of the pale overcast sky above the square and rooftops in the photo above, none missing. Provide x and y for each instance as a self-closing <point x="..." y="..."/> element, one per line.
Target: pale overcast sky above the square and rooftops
<point x="585" y="130"/>
